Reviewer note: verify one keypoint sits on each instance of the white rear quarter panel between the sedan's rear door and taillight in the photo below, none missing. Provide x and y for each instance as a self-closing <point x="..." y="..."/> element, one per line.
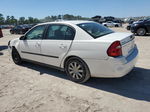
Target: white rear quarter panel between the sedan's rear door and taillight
<point x="89" y="49"/>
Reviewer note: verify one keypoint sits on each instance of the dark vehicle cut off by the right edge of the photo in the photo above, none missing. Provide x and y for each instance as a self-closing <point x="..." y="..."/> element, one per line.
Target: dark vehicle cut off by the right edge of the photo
<point x="141" y="28"/>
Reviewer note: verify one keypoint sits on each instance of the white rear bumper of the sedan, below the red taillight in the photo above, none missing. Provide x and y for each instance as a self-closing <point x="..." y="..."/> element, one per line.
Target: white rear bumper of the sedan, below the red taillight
<point x="113" y="67"/>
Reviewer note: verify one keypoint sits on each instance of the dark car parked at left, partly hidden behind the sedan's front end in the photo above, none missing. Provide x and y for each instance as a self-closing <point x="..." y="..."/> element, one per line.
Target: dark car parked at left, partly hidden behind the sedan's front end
<point x="20" y="29"/>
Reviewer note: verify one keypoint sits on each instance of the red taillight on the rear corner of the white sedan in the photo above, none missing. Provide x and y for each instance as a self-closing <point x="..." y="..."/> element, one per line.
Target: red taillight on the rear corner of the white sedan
<point x="115" y="49"/>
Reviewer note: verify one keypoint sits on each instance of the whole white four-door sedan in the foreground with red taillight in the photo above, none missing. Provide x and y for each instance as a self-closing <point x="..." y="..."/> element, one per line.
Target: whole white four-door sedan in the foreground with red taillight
<point x="83" y="49"/>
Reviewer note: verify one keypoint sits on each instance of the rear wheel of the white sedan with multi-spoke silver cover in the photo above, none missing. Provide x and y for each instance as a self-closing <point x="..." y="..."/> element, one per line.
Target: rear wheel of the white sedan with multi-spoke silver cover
<point x="80" y="73"/>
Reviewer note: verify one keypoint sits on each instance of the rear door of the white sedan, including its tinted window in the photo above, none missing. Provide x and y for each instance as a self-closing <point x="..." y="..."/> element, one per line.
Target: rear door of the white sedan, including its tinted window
<point x="57" y="43"/>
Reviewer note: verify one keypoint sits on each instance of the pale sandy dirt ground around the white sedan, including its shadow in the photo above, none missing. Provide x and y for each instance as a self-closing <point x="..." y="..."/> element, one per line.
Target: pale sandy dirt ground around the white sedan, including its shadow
<point x="34" y="88"/>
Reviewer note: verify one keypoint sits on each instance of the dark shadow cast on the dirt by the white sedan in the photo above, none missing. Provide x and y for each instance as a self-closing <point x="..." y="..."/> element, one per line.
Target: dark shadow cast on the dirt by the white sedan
<point x="135" y="85"/>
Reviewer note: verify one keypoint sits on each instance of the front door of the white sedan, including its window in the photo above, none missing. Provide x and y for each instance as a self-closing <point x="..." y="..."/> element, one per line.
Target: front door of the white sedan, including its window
<point x="30" y="46"/>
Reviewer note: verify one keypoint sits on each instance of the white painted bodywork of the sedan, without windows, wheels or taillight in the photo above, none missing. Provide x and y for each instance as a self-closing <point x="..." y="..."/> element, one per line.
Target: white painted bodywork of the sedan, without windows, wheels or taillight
<point x="92" y="51"/>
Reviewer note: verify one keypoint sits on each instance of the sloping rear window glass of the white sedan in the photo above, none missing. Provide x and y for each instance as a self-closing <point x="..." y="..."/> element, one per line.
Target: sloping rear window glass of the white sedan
<point x="95" y="30"/>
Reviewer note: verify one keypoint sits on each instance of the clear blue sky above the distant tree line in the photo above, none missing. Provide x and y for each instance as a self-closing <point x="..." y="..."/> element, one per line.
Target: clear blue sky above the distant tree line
<point x="85" y="8"/>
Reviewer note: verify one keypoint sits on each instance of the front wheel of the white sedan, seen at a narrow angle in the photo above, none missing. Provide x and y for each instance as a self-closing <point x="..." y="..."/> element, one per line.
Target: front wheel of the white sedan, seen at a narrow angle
<point x="16" y="57"/>
